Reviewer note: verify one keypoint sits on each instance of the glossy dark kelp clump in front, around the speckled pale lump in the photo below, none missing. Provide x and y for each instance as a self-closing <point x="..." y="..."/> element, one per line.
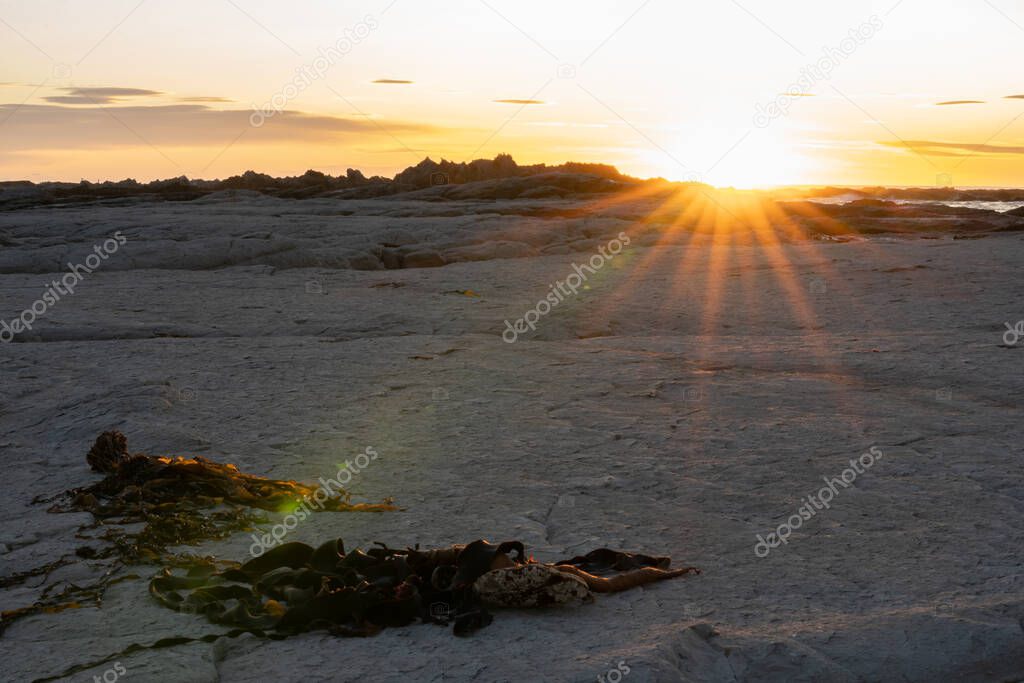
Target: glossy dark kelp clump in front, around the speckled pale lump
<point x="295" y="588"/>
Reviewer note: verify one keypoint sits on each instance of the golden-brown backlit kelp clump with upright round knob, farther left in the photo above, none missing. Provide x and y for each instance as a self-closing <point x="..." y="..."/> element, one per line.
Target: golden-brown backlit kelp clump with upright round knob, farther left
<point x="175" y="501"/>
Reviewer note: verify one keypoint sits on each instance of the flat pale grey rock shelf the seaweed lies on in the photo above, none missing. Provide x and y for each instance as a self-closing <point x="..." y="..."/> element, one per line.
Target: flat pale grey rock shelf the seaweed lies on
<point x="689" y="398"/>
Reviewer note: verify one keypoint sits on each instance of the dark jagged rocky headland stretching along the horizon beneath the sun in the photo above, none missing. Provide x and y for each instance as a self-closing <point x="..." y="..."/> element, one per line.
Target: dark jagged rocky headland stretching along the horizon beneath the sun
<point x="572" y="191"/>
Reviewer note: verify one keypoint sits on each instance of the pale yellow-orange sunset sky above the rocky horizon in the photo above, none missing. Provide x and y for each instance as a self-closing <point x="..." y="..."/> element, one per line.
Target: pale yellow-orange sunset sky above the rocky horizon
<point x="745" y="94"/>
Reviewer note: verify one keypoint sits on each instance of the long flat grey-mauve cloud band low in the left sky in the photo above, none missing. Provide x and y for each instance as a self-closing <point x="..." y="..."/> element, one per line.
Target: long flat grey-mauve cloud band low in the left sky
<point x="54" y="127"/>
